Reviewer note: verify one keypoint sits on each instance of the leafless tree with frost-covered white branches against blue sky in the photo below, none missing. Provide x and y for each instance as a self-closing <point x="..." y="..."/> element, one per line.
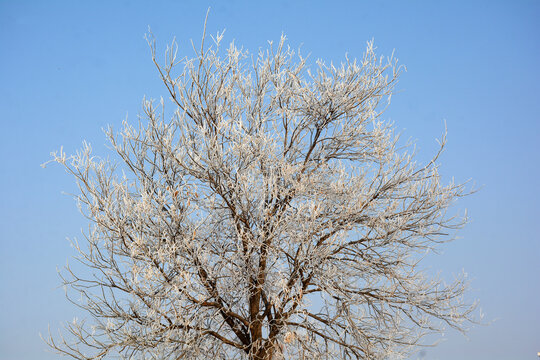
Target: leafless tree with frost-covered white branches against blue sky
<point x="274" y="215"/>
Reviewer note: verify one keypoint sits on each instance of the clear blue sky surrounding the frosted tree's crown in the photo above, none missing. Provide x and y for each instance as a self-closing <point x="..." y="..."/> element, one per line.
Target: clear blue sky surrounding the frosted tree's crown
<point x="69" y="68"/>
